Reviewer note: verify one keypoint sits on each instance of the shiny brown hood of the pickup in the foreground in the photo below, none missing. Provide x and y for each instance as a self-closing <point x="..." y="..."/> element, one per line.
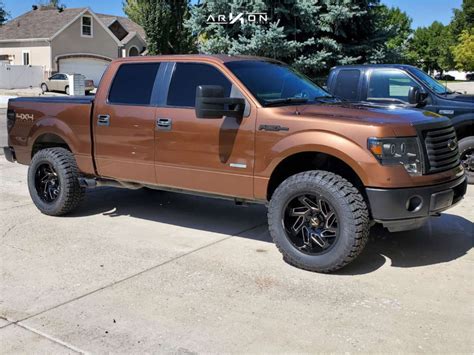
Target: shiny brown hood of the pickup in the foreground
<point x="367" y="113"/>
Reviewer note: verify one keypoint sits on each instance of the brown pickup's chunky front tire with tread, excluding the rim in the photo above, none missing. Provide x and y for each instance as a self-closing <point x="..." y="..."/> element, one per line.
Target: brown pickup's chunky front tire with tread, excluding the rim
<point x="349" y="205"/>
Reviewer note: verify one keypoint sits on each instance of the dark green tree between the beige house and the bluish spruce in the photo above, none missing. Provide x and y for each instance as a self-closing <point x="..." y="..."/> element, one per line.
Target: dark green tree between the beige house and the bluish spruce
<point x="163" y="22"/>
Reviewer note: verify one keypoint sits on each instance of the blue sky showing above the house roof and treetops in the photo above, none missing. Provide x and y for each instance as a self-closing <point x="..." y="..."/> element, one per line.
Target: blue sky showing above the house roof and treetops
<point x="423" y="12"/>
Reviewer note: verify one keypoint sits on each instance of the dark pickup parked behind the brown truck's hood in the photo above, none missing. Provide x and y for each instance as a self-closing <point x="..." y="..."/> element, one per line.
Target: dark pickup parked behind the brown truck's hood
<point x="408" y="86"/>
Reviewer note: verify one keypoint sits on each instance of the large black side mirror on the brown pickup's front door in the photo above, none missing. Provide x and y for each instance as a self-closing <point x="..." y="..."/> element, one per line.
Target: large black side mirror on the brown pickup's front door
<point x="211" y="103"/>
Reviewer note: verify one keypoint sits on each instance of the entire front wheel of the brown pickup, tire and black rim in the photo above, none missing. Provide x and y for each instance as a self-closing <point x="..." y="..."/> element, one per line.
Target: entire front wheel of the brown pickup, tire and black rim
<point x="318" y="220"/>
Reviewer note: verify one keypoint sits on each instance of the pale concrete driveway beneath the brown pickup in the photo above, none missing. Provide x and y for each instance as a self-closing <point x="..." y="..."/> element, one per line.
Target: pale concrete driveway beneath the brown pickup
<point x="144" y="271"/>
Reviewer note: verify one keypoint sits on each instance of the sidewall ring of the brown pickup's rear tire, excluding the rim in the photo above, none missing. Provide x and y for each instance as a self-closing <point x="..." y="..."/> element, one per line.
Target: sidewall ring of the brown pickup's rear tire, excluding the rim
<point x="42" y="157"/>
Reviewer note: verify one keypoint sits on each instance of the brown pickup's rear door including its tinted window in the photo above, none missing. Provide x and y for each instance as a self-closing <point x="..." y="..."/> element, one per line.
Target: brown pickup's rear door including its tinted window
<point x="124" y="124"/>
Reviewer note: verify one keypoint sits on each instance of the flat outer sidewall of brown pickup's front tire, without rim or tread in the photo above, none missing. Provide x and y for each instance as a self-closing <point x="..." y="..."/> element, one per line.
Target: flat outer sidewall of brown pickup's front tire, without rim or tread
<point x="336" y="198"/>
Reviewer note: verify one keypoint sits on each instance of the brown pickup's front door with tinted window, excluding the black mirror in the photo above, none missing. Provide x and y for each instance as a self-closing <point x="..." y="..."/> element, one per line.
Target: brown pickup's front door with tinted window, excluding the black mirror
<point x="208" y="155"/>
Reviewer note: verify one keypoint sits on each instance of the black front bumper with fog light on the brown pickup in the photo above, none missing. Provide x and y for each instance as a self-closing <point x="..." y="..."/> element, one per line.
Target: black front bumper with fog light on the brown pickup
<point x="409" y="208"/>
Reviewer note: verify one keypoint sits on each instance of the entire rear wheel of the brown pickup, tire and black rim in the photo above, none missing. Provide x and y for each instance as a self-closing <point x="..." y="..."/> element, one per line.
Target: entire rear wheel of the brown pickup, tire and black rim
<point x="53" y="181"/>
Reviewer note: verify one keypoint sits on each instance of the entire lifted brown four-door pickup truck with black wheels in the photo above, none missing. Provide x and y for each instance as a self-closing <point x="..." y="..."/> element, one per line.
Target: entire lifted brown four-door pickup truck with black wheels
<point x="249" y="129"/>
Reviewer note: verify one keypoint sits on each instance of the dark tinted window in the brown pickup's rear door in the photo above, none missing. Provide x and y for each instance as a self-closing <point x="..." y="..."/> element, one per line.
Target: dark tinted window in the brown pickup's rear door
<point x="133" y="84"/>
